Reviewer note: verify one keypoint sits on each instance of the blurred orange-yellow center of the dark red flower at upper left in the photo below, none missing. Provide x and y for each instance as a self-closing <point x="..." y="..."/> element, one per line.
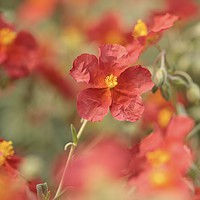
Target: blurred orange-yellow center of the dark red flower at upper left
<point x="7" y="36"/>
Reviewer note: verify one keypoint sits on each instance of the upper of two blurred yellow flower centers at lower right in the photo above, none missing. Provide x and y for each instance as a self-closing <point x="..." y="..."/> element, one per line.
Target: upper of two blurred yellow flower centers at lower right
<point x="158" y="157"/>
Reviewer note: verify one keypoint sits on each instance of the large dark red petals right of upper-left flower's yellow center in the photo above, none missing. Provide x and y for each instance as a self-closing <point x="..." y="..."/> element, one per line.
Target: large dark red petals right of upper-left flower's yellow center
<point x="22" y="56"/>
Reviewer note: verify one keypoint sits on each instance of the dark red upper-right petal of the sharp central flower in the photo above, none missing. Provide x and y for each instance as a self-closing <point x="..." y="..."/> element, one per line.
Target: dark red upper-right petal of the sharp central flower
<point x="134" y="80"/>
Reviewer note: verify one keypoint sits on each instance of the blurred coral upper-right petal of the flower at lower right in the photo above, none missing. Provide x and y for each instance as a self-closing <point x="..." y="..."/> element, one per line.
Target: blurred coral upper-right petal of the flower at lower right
<point x="178" y="128"/>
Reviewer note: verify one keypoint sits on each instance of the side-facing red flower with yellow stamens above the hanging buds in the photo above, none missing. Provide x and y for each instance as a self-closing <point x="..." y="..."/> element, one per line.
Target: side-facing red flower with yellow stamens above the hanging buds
<point x="148" y="34"/>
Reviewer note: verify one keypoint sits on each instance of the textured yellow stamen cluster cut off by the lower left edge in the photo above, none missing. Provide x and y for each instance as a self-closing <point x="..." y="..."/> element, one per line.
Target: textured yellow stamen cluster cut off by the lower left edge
<point x="6" y="151"/>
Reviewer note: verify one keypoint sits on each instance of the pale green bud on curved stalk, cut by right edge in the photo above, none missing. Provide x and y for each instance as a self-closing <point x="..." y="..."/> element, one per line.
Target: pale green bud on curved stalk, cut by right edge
<point x="193" y="93"/>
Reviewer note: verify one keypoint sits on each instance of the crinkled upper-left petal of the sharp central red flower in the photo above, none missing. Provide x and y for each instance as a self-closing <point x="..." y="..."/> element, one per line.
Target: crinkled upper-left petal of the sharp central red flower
<point x="85" y="68"/>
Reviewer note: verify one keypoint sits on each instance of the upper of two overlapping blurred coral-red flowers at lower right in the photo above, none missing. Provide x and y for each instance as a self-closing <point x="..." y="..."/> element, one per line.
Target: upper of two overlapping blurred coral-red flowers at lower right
<point x="164" y="147"/>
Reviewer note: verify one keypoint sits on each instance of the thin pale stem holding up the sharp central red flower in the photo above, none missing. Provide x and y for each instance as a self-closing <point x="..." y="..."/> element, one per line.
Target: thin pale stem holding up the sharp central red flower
<point x="71" y="152"/>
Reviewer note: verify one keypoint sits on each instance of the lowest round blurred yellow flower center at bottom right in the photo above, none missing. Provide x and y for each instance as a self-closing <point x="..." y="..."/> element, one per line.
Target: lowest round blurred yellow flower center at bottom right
<point x="160" y="178"/>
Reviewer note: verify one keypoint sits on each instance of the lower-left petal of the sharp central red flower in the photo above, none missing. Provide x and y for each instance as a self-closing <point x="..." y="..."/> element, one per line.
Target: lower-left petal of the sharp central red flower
<point x="93" y="103"/>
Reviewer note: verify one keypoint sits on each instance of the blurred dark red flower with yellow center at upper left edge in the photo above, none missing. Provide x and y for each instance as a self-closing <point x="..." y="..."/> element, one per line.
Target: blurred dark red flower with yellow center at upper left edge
<point x="19" y="52"/>
